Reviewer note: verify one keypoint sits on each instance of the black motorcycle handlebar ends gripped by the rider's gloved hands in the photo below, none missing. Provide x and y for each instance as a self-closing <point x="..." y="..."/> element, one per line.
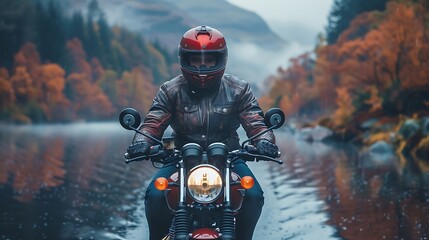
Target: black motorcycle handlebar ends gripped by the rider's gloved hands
<point x="160" y="155"/>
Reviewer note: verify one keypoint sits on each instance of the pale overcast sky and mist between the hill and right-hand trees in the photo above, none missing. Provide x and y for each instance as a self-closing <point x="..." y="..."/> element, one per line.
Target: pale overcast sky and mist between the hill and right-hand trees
<point x="296" y="21"/>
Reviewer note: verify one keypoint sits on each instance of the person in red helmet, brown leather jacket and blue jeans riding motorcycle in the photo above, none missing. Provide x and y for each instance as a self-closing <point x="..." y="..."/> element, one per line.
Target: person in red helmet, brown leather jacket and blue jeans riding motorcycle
<point x="204" y="105"/>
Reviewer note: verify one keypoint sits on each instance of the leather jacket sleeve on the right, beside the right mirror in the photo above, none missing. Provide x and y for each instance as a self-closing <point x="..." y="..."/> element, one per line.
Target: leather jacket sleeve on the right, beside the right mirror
<point x="251" y="116"/>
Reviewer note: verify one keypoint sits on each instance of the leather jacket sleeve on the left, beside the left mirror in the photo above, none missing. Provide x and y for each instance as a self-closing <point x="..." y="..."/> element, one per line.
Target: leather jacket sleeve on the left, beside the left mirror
<point x="158" y="118"/>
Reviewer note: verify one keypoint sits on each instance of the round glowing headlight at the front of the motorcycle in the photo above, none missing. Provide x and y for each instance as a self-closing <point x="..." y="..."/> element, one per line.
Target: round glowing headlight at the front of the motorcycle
<point x="204" y="184"/>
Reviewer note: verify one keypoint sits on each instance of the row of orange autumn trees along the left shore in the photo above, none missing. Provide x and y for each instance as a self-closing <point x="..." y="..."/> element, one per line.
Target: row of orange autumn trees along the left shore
<point x="42" y="92"/>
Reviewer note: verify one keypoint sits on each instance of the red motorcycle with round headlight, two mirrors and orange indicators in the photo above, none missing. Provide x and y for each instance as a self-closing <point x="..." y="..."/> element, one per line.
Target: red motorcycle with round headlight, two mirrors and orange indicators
<point x="204" y="194"/>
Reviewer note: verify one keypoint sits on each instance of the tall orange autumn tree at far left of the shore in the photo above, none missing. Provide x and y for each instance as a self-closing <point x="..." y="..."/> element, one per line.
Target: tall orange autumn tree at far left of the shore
<point x="38" y="90"/>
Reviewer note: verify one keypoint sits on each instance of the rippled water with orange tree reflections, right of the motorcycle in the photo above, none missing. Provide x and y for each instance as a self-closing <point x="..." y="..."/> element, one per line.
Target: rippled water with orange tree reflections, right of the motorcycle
<point x="363" y="196"/>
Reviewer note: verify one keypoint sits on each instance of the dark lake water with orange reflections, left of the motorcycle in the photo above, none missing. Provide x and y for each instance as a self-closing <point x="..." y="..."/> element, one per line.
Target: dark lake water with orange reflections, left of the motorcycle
<point x="67" y="182"/>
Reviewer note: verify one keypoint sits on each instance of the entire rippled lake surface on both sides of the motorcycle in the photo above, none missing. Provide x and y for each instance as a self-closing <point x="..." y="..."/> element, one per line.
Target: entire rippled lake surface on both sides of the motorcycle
<point x="70" y="182"/>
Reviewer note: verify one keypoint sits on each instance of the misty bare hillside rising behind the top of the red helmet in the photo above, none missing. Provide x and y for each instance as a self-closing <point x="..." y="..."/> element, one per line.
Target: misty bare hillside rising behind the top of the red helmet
<point x="167" y="20"/>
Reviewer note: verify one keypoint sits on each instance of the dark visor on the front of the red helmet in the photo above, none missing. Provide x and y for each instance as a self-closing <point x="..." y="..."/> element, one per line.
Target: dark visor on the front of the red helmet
<point x="203" y="62"/>
